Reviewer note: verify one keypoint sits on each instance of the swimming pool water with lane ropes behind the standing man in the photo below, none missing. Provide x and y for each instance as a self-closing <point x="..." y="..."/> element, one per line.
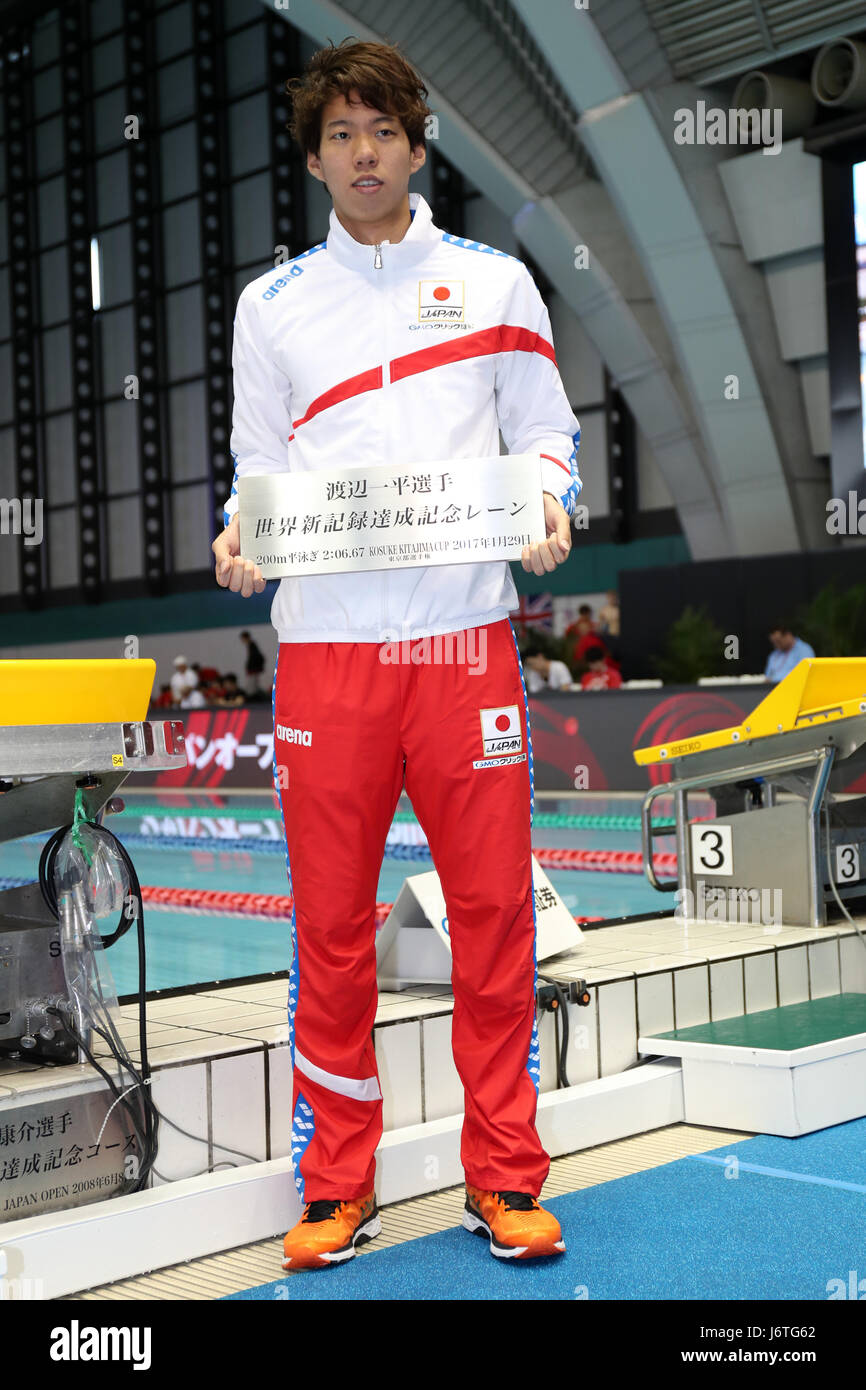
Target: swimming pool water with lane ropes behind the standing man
<point x="188" y="949"/>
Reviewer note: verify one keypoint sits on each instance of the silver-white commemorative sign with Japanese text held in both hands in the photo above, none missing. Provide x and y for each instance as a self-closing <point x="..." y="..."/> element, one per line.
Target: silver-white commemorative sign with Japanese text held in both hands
<point x="450" y="512"/>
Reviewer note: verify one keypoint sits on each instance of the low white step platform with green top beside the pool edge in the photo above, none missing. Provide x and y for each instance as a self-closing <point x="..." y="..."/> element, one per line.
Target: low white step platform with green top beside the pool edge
<point x="787" y="1071"/>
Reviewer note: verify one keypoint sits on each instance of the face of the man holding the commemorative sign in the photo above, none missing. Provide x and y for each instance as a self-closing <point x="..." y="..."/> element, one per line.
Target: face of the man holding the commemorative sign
<point x="359" y="142"/>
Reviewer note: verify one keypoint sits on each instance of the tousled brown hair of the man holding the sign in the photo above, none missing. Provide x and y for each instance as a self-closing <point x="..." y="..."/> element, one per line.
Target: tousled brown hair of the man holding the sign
<point x="377" y="72"/>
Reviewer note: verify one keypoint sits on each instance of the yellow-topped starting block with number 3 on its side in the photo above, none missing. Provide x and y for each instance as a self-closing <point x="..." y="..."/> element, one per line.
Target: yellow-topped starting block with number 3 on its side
<point x="806" y="740"/>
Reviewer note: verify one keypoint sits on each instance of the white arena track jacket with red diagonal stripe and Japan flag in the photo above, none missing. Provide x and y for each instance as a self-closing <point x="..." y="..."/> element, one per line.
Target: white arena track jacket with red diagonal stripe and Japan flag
<point x="405" y="354"/>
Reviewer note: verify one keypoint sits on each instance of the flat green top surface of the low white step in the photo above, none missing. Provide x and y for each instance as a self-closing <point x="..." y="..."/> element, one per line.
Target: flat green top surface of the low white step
<point x="785" y="1029"/>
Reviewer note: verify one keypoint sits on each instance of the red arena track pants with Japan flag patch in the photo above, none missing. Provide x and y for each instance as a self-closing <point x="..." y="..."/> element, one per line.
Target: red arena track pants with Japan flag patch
<point x="351" y="730"/>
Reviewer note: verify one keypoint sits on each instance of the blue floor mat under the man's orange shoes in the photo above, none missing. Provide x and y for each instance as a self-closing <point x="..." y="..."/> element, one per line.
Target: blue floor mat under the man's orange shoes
<point x="687" y="1229"/>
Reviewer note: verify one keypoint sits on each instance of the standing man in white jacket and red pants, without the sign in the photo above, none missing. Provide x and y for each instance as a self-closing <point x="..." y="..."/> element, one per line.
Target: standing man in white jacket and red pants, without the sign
<point x="329" y="359"/>
